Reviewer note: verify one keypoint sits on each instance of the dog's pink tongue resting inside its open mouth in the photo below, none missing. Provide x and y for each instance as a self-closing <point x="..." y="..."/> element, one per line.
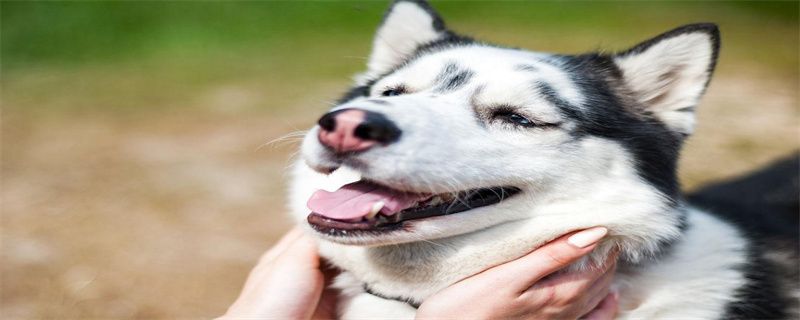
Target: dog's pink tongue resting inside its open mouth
<point x="355" y="200"/>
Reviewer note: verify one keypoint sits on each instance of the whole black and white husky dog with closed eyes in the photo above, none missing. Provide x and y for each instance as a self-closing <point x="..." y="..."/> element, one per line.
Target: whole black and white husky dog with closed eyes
<point x="451" y="155"/>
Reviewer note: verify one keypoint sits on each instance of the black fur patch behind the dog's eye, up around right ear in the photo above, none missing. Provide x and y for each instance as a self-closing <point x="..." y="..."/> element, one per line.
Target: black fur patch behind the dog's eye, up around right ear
<point x="612" y="114"/>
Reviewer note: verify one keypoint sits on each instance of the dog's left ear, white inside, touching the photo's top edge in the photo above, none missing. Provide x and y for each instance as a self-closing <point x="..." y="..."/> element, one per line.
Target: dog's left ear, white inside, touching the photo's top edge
<point x="407" y="25"/>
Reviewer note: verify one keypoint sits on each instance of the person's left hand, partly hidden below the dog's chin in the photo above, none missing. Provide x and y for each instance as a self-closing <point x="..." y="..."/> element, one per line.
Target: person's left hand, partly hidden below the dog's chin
<point x="287" y="283"/>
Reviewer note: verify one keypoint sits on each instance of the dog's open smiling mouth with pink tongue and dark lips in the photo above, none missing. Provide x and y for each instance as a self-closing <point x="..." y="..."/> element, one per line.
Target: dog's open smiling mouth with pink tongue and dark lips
<point x="365" y="206"/>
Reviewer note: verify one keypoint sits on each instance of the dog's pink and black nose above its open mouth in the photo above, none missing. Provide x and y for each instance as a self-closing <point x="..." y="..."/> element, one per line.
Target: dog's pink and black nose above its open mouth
<point x="373" y="126"/>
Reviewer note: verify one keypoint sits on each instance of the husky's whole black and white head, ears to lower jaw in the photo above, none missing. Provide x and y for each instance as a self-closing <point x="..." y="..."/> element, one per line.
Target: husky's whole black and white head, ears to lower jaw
<point x="451" y="136"/>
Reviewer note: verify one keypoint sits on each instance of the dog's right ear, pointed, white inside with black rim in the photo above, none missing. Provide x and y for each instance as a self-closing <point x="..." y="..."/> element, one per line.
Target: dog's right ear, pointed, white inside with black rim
<point x="669" y="73"/>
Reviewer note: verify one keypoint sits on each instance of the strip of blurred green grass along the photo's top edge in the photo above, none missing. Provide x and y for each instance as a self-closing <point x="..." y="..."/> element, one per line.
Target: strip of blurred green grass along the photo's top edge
<point x="87" y="32"/>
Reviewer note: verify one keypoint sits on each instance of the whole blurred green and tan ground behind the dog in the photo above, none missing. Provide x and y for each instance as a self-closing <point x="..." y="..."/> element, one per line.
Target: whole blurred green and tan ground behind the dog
<point x="138" y="180"/>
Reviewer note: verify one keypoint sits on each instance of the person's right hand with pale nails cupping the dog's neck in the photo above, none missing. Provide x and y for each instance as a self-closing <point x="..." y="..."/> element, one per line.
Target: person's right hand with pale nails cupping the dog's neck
<point x="521" y="289"/>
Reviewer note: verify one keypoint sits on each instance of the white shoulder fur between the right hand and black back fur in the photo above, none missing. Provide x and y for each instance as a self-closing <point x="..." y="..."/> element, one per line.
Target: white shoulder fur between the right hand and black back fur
<point x="695" y="281"/>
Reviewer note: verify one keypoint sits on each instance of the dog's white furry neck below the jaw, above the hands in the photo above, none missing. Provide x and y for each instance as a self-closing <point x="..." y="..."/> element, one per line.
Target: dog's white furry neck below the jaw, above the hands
<point x="413" y="271"/>
